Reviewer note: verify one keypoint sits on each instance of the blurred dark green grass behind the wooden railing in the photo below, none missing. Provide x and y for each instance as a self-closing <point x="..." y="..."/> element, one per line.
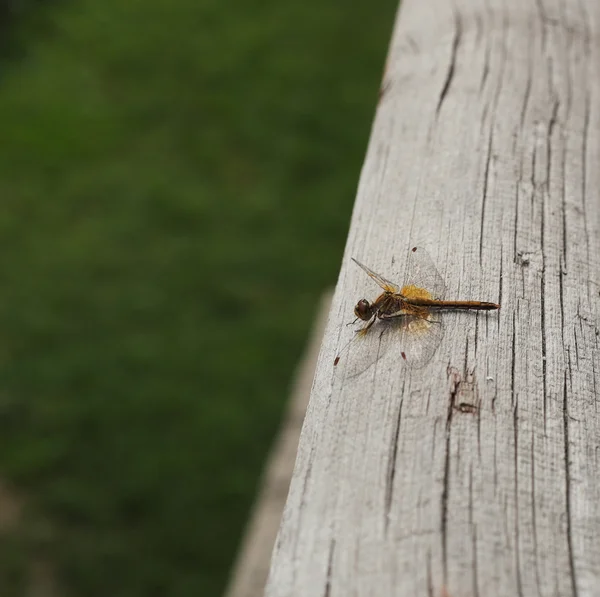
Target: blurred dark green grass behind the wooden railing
<point x="176" y="181"/>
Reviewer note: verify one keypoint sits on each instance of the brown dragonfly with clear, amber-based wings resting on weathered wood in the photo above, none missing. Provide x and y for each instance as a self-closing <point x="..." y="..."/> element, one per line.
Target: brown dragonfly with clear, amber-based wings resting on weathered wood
<point x="410" y="314"/>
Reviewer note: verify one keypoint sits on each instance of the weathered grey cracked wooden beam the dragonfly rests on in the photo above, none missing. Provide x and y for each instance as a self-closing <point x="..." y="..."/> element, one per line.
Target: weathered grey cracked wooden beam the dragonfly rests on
<point x="485" y="150"/>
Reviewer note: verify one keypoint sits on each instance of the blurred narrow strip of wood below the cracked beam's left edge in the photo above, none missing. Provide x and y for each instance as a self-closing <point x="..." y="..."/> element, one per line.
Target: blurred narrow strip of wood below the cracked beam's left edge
<point x="250" y="572"/>
